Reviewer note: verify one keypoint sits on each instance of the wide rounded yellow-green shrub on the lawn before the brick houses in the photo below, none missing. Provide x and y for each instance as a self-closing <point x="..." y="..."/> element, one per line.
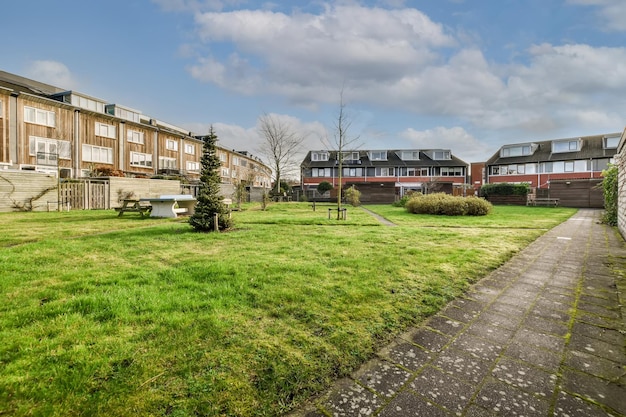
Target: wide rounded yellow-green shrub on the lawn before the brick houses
<point x="445" y="204"/>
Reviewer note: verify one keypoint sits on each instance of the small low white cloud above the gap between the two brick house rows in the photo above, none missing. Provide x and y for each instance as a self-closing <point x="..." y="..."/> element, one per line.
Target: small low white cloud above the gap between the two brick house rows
<point x="462" y="143"/>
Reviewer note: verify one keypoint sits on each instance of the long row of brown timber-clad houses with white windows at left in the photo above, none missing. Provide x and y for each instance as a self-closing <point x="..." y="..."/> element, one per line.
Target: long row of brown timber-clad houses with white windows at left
<point x="47" y="129"/>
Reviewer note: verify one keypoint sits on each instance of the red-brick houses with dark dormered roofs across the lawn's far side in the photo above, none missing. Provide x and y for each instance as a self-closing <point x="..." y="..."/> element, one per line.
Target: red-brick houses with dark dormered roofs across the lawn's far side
<point x="568" y="167"/>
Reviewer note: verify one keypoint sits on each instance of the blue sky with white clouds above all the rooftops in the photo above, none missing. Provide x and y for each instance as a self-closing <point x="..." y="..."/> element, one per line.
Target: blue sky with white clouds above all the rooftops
<point x="465" y="75"/>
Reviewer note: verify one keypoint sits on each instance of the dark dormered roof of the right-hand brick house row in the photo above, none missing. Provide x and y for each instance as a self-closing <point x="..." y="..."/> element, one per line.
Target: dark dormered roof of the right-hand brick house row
<point x="592" y="148"/>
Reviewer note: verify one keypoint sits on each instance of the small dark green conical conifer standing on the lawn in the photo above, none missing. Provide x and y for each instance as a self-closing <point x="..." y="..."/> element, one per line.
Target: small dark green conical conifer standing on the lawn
<point x="210" y="202"/>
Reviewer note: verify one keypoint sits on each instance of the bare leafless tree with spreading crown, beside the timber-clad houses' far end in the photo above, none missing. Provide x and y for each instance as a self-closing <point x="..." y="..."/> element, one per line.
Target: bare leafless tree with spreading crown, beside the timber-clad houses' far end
<point x="281" y="143"/>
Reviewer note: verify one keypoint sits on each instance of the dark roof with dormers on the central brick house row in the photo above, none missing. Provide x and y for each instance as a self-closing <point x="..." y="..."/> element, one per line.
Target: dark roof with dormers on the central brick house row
<point x="393" y="160"/>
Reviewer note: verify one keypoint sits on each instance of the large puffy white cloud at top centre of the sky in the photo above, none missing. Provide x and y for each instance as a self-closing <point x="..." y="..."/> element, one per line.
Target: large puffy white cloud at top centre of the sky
<point x="307" y="57"/>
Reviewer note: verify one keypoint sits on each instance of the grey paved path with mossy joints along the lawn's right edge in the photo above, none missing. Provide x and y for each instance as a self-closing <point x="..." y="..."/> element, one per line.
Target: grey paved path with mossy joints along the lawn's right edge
<point x="541" y="336"/>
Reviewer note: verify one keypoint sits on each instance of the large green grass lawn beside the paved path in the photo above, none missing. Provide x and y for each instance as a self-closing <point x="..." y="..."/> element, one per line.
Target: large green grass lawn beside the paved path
<point x="108" y="316"/>
